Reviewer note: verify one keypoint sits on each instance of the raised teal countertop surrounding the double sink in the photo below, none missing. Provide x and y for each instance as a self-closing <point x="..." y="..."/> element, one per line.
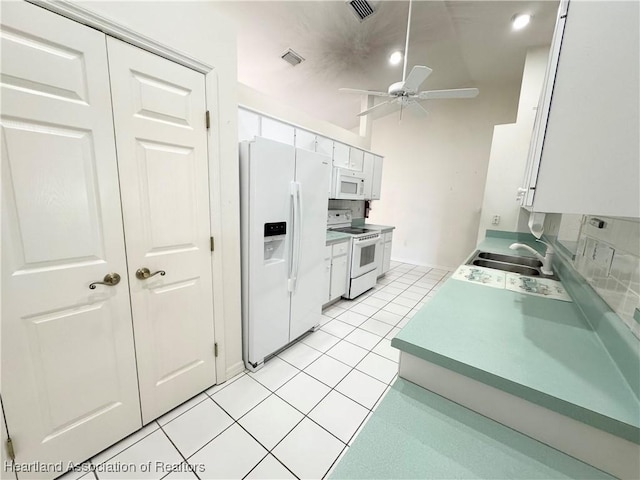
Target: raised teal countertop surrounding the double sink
<point x="539" y="349"/>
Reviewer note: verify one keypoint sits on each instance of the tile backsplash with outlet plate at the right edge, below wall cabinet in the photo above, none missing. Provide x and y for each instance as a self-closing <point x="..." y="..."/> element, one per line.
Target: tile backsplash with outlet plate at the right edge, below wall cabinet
<point x="608" y="257"/>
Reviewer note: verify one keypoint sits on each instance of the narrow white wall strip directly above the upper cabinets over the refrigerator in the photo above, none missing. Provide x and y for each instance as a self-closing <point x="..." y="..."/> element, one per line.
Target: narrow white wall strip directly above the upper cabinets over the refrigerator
<point x="261" y="103"/>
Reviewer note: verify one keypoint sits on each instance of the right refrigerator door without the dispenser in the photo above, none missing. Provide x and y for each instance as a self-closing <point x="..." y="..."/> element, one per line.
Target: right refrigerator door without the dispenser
<point x="312" y="175"/>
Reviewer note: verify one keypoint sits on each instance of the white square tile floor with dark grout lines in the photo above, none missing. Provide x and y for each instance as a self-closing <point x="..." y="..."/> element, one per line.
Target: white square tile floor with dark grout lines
<point x="296" y="416"/>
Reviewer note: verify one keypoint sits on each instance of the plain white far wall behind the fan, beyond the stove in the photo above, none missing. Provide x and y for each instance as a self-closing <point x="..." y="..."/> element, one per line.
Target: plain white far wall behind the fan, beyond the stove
<point x="434" y="174"/>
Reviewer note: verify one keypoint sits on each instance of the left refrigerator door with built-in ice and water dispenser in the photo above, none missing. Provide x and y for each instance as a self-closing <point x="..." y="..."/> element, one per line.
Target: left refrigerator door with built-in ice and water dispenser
<point x="267" y="172"/>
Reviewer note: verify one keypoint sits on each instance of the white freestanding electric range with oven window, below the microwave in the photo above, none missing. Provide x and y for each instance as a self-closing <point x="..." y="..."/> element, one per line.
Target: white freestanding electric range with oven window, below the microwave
<point x="366" y="252"/>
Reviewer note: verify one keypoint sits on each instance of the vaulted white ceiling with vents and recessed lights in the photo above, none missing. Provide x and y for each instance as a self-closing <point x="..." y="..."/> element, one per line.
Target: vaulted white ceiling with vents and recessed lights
<point x="466" y="43"/>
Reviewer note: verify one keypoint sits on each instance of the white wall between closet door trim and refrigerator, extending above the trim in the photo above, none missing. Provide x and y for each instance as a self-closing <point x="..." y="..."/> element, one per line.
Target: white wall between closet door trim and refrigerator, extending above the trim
<point x="196" y="29"/>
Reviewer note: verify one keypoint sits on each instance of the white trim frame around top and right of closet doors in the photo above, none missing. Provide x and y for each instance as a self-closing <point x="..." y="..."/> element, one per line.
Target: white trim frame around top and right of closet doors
<point x="111" y="28"/>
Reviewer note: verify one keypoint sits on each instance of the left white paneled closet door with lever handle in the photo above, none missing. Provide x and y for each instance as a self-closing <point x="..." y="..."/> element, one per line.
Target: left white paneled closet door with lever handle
<point x="69" y="385"/>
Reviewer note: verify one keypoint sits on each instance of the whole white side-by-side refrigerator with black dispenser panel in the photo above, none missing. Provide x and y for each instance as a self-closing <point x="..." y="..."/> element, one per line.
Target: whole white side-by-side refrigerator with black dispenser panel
<point x="283" y="206"/>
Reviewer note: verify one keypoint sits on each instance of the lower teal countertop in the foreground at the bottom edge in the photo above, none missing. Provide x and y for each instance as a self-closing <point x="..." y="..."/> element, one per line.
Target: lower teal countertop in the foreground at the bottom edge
<point x="415" y="433"/>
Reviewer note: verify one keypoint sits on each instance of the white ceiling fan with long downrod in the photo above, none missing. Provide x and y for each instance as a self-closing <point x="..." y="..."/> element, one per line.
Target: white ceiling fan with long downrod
<point x="405" y="94"/>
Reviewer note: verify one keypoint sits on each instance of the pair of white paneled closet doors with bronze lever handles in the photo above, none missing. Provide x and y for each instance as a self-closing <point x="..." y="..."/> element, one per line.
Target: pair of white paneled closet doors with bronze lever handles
<point x="89" y="190"/>
